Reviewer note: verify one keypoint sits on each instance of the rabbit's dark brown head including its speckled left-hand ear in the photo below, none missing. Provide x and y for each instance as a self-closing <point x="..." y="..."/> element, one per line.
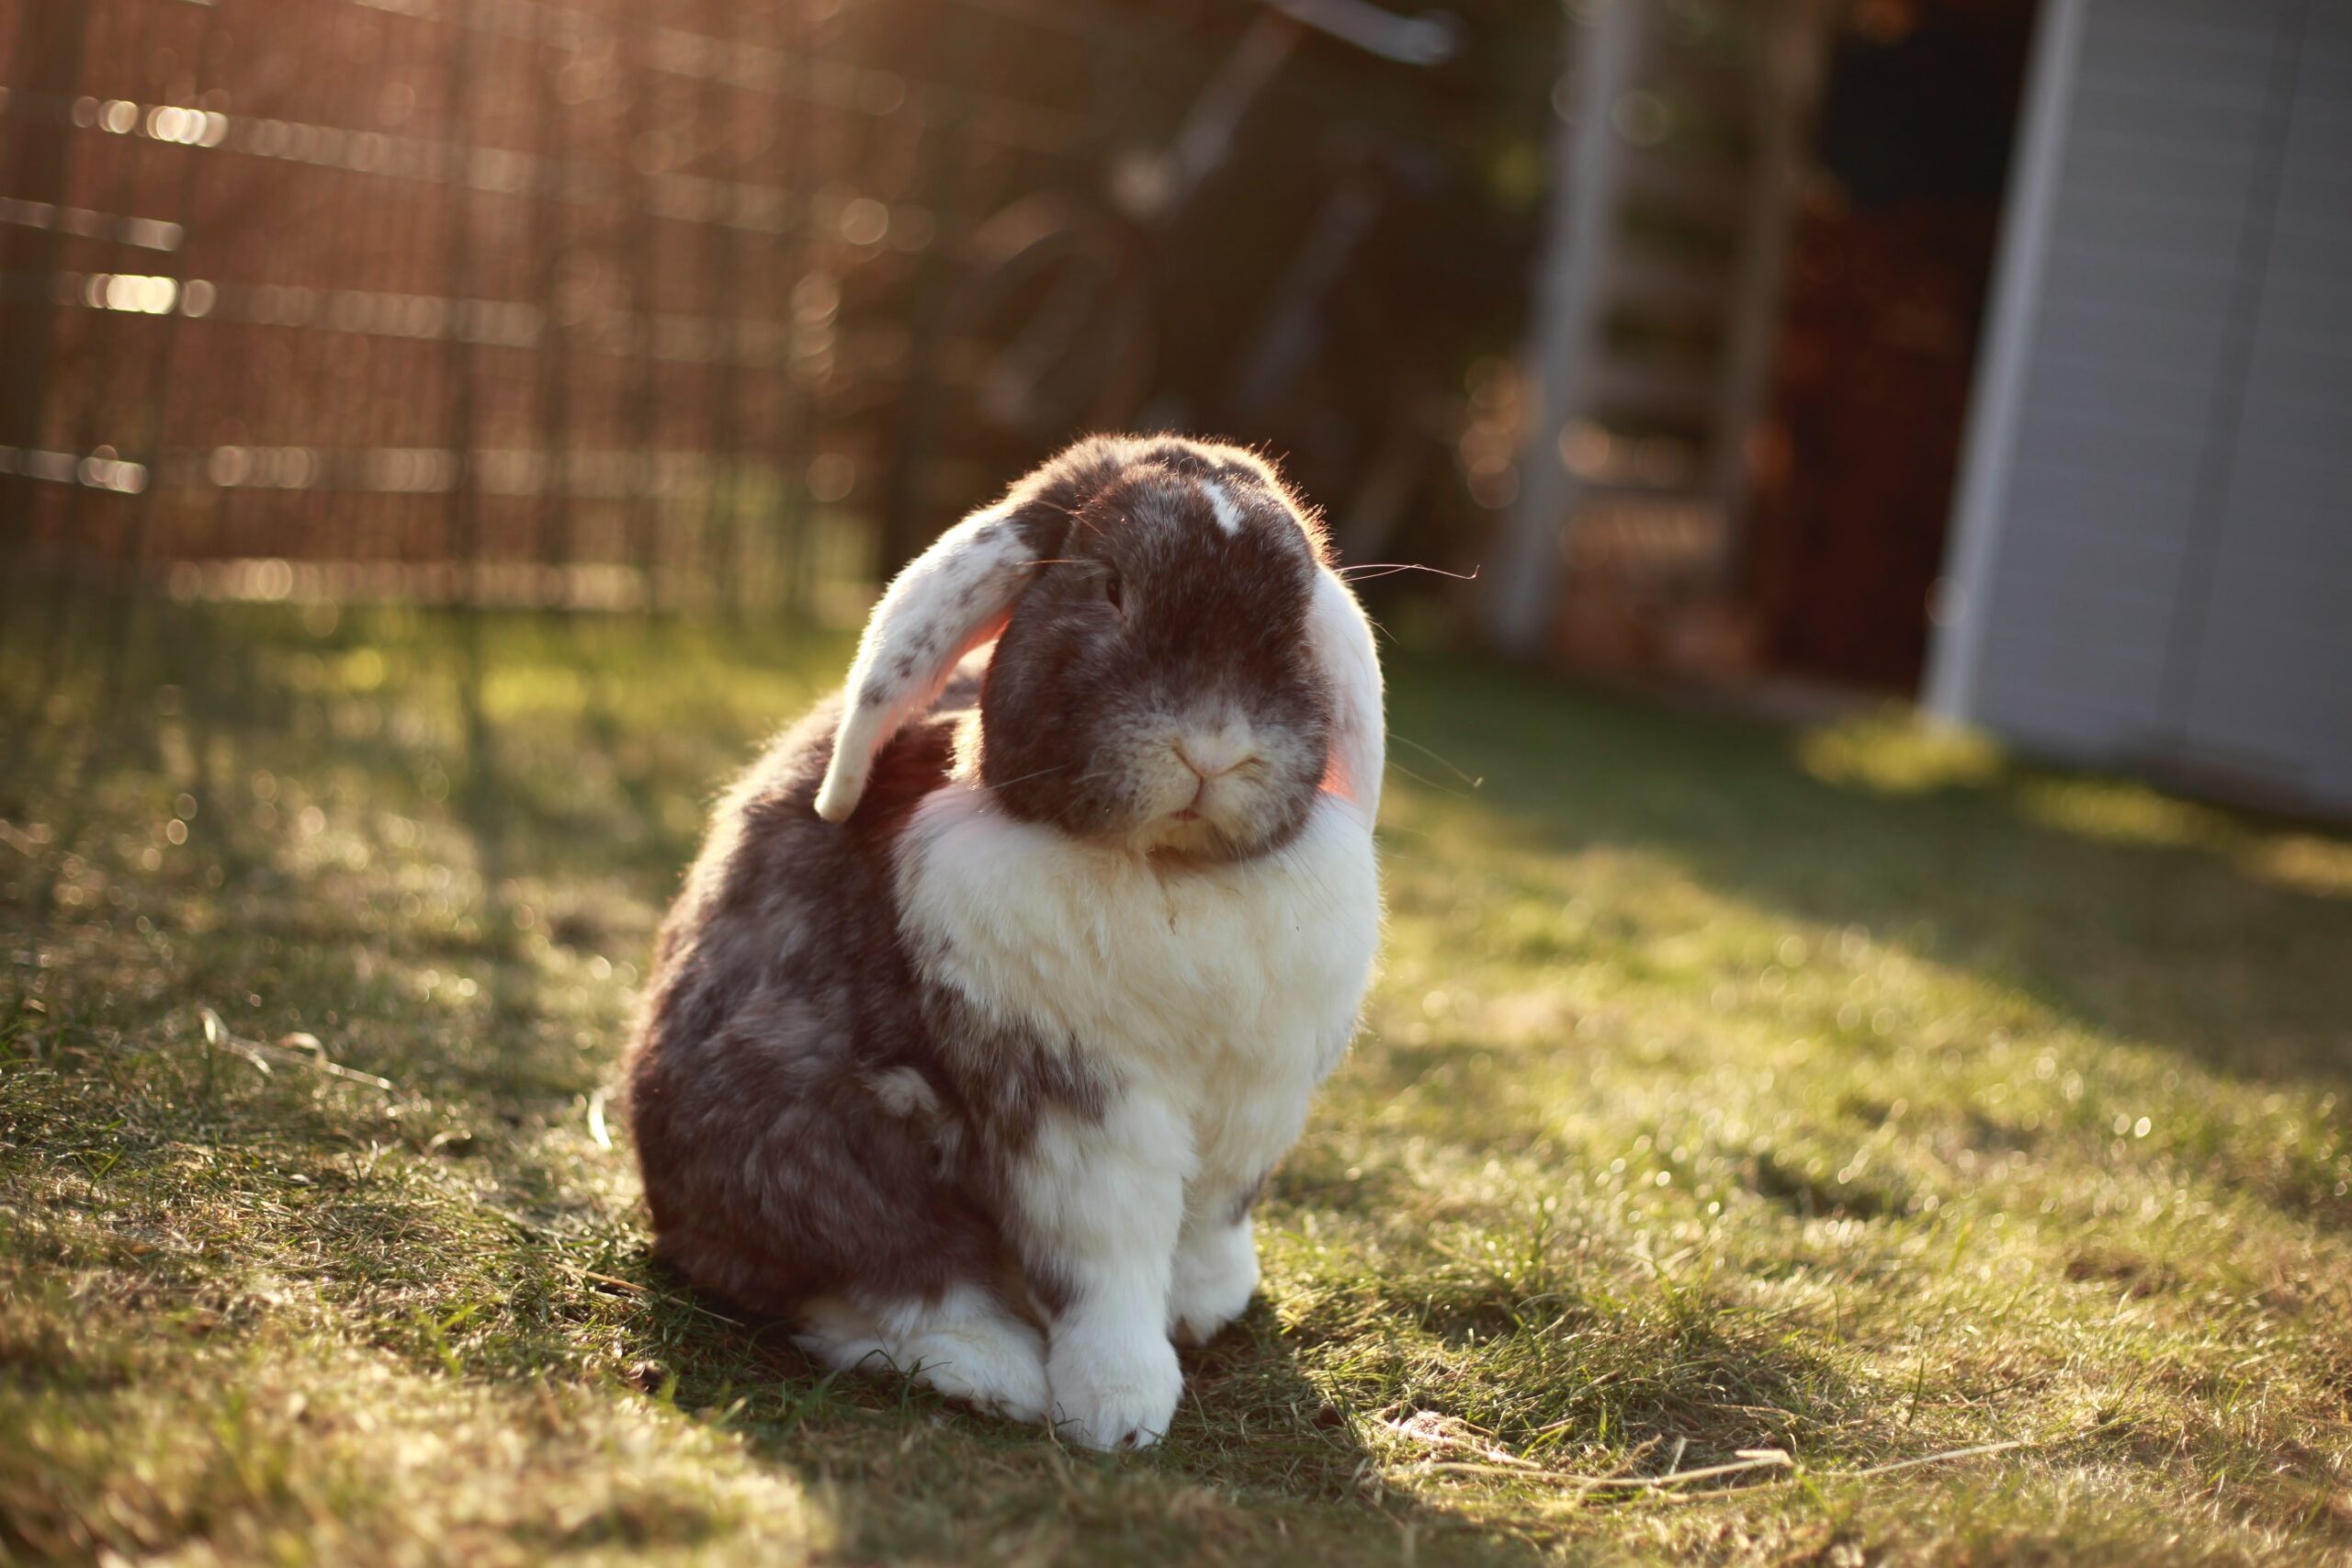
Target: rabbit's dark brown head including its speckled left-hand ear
<point x="1156" y="681"/>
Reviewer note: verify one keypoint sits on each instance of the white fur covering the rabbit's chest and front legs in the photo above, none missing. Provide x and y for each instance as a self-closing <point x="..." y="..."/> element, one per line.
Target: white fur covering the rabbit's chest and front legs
<point x="1210" y="998"/>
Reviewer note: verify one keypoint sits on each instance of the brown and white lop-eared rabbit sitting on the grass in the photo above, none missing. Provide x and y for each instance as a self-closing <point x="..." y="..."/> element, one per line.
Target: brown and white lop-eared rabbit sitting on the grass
<point x="1005" y="977"/>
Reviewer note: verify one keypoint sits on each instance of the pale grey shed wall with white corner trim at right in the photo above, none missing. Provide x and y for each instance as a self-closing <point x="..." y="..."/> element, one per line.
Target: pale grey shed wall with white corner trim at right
<point x="2170" y="563"/>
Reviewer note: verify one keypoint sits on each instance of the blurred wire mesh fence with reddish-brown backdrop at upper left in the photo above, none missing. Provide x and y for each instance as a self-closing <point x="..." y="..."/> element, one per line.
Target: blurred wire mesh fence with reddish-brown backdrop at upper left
<point x="493" y="300"/>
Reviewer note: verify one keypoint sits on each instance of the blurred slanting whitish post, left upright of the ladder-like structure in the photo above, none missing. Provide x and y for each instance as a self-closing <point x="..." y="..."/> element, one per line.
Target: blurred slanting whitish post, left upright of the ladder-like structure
<point x="1523" y="579"/>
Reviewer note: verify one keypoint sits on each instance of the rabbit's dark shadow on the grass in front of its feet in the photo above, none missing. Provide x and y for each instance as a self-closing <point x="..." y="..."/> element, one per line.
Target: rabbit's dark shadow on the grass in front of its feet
<point x="1259" y="1461"/>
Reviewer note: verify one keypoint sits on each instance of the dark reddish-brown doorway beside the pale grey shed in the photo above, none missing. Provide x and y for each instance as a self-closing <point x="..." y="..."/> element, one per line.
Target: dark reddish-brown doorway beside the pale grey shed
<point x="1895" y="250"/>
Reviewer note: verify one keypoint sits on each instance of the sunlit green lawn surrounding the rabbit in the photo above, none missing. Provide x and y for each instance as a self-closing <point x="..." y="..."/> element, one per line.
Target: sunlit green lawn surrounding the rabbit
<point x="1850" y="1094"/>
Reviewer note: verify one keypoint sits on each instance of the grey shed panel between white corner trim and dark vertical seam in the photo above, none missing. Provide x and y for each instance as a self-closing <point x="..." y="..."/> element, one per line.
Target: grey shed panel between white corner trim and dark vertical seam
<point x="2132" y="335"/>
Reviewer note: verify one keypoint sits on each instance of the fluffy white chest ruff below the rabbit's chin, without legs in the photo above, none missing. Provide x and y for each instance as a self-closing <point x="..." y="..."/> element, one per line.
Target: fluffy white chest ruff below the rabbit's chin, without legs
<point x="1229" y="991"/>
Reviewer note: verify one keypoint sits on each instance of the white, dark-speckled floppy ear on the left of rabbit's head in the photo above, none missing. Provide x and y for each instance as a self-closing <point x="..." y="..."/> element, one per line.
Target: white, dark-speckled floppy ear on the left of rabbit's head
<point x="951" y="598"/>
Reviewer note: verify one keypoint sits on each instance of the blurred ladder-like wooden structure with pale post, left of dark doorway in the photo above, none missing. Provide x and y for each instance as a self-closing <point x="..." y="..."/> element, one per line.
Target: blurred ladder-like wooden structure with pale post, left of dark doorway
<point x="1676" y="161"/>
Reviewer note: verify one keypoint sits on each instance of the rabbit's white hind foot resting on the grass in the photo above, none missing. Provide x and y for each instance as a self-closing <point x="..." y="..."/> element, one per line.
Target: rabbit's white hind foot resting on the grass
<point x="968" y="1346"/>
